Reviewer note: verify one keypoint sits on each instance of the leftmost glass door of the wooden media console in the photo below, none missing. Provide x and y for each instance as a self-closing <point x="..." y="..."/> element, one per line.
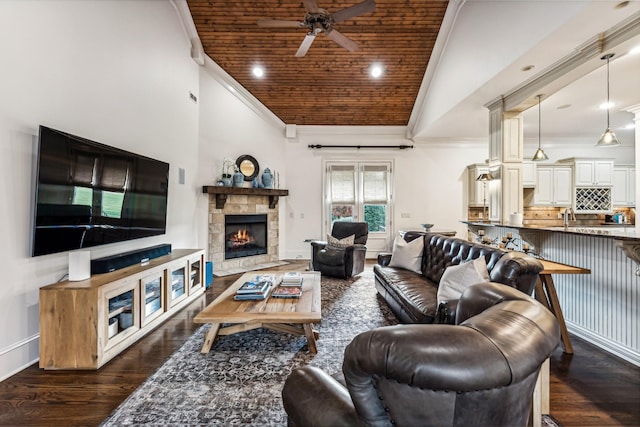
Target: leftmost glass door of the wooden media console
<point x="122" y="313"/>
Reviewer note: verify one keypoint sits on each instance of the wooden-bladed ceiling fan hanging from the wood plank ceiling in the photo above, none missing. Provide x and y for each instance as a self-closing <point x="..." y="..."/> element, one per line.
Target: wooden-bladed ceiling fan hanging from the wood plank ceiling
<point x="318" y="21"/>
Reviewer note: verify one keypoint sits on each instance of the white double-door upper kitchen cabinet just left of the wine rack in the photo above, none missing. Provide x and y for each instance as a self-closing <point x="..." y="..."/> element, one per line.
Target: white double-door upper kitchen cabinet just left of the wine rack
<point x="553" y="186"/>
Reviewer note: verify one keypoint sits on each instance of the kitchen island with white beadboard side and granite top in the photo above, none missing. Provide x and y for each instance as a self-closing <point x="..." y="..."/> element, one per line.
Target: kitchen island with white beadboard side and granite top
<point x="601" y="307"/>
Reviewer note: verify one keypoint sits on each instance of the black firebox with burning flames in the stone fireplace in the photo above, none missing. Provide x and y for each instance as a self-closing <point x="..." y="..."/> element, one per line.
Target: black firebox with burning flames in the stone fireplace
<point x="245" y="235"/>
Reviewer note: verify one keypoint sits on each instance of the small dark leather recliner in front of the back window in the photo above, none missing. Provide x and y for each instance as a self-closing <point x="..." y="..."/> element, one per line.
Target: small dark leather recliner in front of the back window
<point x="345" y="262"/>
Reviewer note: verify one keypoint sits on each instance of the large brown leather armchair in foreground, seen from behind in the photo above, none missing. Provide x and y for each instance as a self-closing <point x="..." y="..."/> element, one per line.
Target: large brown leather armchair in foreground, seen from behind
<point x="480" y="372"/>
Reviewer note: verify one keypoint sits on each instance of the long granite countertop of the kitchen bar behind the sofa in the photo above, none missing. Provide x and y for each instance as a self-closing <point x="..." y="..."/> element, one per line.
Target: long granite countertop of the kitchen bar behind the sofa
<point x="618" y="231"/>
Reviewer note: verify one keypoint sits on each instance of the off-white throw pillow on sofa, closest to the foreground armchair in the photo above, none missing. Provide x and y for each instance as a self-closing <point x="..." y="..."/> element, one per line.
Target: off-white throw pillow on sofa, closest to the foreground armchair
<point x="457" y="278"/>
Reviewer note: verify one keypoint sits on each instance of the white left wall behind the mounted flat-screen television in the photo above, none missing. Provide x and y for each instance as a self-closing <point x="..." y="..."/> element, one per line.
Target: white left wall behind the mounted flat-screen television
<point x="118" y="72"/>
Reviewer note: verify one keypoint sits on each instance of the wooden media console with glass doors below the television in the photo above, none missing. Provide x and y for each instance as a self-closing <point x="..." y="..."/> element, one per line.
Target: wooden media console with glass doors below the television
<point x="84" y="324"/>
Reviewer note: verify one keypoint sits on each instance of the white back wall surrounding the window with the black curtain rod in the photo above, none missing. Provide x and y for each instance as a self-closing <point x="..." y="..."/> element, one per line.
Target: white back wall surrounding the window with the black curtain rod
<point x="430" y="181"/>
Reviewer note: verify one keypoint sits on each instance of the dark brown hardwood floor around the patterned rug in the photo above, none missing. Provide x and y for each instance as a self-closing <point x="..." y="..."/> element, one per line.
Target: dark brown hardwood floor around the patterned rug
<point x="590" y="388"/>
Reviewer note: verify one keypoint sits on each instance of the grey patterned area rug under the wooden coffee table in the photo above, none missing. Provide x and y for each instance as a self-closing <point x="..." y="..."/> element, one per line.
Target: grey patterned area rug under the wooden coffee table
<point x="239" y="382"/>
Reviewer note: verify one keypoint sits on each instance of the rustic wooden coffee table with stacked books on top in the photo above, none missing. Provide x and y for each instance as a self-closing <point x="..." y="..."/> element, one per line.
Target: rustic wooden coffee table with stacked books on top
<point x="291" y="315"/>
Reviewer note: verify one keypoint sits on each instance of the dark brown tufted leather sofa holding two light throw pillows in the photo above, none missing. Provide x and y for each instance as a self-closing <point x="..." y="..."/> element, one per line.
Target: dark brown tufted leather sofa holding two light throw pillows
<point x="413" y="297"/>
